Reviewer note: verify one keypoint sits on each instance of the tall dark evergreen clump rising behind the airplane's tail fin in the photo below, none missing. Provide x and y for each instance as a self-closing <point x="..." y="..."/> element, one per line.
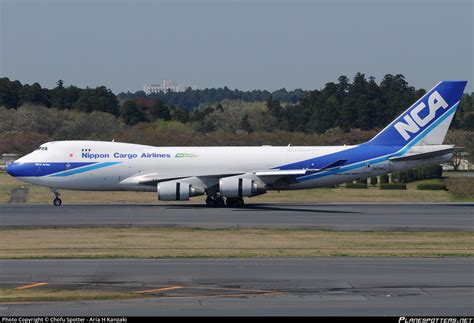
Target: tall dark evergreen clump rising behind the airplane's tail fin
<point x="362" y="104"/>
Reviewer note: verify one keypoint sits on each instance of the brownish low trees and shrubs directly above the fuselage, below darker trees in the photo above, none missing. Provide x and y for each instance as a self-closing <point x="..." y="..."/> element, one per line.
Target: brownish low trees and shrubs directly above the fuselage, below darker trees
<point x="25" y="128"/>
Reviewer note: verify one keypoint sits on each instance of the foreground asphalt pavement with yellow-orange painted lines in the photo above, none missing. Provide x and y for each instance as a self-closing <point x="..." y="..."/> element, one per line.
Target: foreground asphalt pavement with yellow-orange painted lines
<point x="288" y="286"/>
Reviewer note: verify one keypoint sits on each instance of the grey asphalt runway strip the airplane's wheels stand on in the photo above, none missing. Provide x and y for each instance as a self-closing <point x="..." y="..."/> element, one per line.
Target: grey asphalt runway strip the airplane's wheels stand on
<point x="428" y="217"/>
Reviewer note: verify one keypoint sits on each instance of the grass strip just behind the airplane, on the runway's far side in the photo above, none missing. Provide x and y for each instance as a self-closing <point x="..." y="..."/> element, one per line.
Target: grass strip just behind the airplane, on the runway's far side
<point x="460" y="189"/>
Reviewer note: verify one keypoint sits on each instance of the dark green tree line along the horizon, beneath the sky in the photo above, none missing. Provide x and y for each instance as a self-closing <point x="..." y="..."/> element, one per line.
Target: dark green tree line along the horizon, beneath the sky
<point x="360" y="104"/>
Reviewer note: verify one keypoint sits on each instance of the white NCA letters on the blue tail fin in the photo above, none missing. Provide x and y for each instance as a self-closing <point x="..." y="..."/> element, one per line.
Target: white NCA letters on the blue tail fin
<point x="413" y="119"/>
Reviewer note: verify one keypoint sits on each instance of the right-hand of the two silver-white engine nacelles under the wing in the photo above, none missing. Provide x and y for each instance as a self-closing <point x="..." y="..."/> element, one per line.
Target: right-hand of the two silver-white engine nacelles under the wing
<point x="240" y="187"/>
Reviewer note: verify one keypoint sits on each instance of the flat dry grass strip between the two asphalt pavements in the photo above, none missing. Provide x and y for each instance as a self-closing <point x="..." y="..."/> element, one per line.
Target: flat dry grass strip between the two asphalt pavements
<point x="227" y="243"/>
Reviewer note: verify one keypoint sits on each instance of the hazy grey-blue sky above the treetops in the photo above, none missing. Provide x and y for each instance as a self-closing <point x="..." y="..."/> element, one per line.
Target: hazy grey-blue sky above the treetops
<point x="239" y="44"/>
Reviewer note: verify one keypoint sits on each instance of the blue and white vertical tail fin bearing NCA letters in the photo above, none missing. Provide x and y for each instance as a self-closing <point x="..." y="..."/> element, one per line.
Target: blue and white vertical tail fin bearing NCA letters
<point x="427" y="120"/>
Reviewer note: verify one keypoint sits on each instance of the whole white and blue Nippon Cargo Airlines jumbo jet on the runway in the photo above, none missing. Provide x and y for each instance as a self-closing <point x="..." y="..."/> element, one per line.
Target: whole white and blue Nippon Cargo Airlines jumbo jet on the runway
<point x="228" y="174"/>
